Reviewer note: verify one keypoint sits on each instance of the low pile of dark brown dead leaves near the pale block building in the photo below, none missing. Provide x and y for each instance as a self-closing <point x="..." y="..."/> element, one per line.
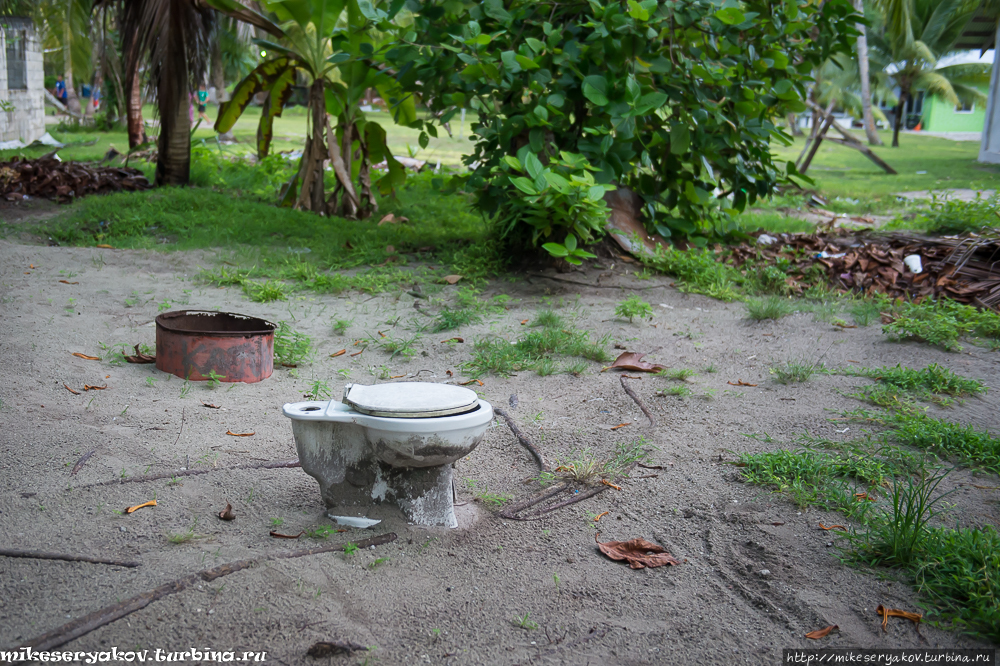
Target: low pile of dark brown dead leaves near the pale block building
<point x="51" y="178"/>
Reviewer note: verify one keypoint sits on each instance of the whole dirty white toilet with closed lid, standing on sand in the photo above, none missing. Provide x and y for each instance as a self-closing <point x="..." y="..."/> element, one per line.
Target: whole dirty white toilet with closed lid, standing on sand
<point x="390" y="443"/>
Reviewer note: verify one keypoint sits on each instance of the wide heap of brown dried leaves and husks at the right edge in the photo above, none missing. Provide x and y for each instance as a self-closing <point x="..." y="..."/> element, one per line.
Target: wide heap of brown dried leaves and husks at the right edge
<point x="963" y="268"/>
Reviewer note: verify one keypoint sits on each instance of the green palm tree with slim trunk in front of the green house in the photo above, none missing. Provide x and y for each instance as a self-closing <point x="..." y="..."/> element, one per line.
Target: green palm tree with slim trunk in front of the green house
<point x="917" y="34"/>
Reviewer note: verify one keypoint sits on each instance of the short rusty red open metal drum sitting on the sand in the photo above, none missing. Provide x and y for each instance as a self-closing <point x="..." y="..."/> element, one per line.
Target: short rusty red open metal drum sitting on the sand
<point x="201" y="344"/>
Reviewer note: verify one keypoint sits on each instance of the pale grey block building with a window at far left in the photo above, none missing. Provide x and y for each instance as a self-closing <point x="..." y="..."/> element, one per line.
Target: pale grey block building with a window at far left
<point x="22" y="104"/>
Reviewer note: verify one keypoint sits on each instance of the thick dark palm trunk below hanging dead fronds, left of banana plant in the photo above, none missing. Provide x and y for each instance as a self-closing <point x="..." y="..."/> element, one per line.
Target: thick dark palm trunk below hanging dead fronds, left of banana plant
<point x="173" y="160"/>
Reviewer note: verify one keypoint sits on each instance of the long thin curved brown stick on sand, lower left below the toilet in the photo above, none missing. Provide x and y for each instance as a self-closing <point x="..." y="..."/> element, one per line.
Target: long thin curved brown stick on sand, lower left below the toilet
<point x="88" y="623"/>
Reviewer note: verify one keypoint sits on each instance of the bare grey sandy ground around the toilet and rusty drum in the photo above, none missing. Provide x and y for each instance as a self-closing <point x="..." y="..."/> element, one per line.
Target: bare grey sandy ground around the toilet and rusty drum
<point x="757" y="573"/>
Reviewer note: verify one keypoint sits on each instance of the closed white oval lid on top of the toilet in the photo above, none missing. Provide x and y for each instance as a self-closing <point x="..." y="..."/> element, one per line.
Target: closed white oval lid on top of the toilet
<point x="410" y="399"/>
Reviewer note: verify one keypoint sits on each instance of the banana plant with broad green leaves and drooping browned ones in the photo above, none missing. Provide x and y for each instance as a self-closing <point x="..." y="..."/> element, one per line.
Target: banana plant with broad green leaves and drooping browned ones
<point x="333" y="46"/>
